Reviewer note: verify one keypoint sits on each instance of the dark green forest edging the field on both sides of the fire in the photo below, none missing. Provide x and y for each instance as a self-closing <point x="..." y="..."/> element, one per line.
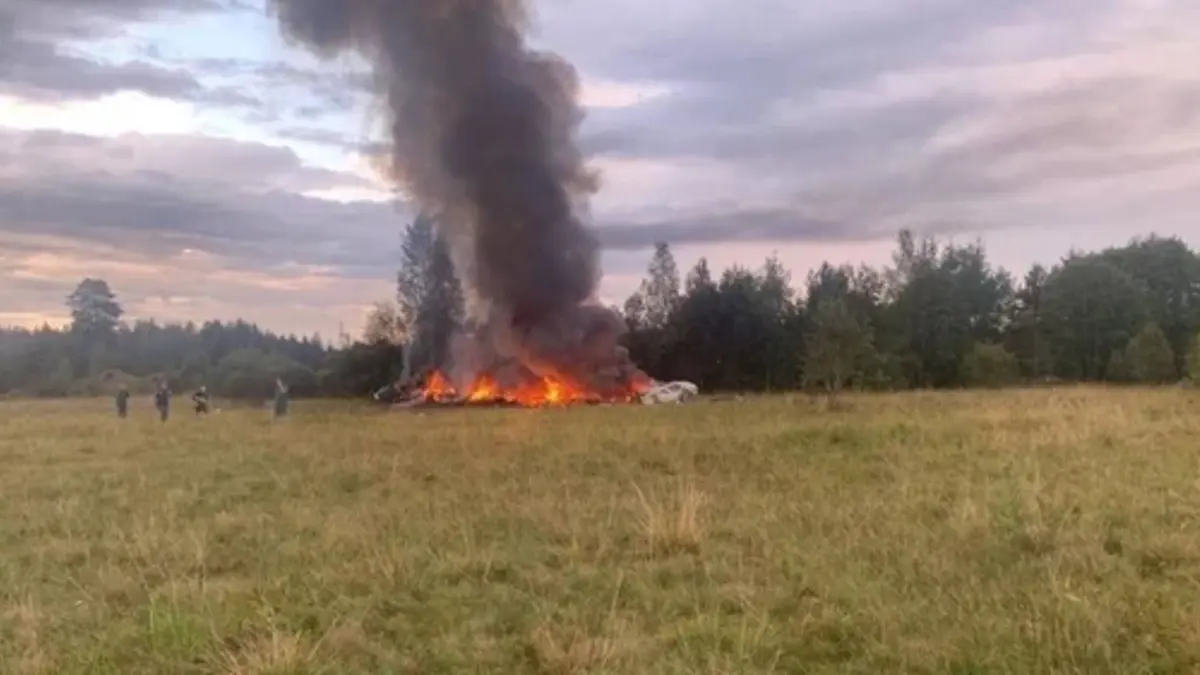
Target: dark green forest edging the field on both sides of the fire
<point x="939" y="316"/>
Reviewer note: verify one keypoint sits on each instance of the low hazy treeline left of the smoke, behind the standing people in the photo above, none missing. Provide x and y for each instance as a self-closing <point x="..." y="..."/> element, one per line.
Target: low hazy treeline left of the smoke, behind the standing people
<point x="99" y="353"/>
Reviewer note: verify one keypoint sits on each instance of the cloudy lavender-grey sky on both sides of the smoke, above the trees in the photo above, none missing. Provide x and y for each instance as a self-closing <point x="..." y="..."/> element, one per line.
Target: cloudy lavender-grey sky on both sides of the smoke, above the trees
<point x="184" y="152"/>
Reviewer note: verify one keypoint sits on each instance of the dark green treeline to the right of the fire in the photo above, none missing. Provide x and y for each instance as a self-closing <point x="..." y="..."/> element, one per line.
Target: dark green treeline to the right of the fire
<point x="940" y="316"/>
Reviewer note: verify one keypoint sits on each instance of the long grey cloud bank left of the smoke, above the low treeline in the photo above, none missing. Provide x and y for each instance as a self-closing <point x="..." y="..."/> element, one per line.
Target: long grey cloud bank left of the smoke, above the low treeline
<point x="160" y="196"/>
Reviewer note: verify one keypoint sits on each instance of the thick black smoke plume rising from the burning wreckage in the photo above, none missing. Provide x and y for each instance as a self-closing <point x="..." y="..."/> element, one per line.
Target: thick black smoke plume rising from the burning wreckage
<point x="484" y="134"/>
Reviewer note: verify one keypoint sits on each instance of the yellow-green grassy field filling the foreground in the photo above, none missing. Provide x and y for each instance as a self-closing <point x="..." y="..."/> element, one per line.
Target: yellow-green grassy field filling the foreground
<point x="964" y="534"/>
